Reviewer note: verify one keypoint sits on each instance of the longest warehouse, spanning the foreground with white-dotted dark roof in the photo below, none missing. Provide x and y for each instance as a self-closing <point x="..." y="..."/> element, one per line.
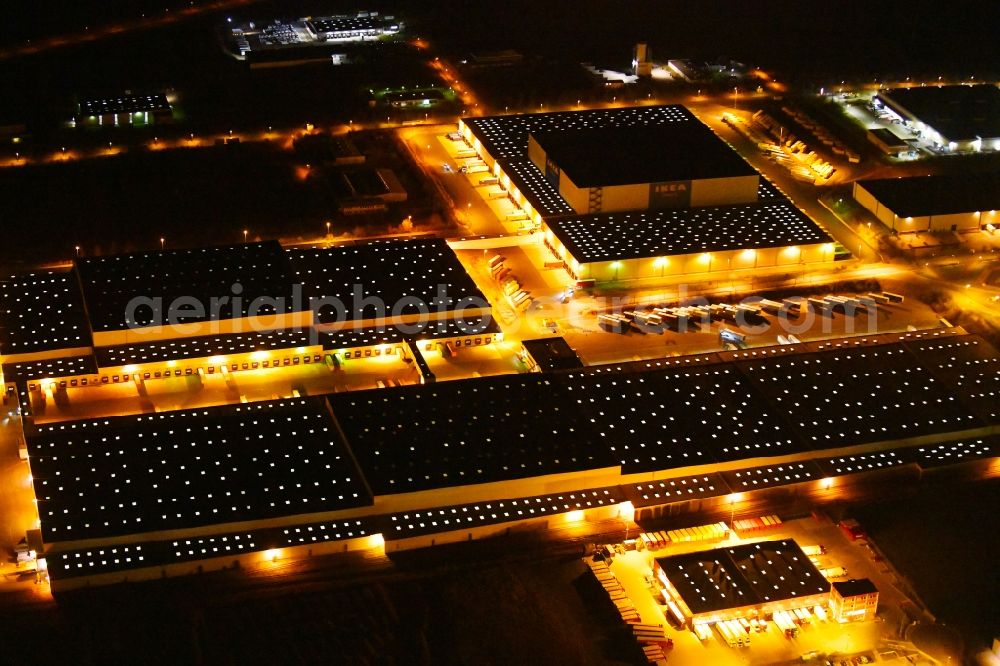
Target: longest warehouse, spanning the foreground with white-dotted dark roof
<point x="147" y="495"/>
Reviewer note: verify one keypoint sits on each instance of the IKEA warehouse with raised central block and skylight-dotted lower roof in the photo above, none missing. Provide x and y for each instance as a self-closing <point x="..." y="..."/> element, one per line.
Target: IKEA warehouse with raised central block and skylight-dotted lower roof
<point x="642" y="193"/>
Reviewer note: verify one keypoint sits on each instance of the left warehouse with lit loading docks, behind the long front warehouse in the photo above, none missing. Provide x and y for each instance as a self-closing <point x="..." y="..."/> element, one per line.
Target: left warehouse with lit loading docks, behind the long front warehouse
<point x="145" y="316"/>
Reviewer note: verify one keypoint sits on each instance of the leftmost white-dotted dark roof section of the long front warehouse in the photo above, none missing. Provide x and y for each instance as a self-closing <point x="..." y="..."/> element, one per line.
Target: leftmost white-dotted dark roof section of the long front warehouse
<point x="174" y="470"/>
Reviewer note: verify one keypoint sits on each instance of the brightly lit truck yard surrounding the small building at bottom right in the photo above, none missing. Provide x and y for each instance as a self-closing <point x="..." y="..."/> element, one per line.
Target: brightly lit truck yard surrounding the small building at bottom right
<point x="818" y="641"/>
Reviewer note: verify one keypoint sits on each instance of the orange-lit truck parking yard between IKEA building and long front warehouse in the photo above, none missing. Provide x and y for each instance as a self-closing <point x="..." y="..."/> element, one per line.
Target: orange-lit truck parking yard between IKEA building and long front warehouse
<point x="576" y="318"/>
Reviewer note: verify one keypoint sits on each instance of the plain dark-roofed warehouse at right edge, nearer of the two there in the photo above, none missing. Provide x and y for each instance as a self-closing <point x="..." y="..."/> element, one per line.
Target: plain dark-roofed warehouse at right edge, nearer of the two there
<point x="966" y="202"/>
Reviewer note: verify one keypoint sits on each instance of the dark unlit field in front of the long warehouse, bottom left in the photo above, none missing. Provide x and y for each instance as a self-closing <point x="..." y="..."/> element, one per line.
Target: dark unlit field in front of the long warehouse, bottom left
<point x="543" y="612"/>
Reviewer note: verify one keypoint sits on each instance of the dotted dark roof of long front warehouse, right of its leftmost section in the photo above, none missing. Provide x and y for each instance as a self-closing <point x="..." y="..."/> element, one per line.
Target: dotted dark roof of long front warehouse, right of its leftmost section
<point x="652" y="416"/>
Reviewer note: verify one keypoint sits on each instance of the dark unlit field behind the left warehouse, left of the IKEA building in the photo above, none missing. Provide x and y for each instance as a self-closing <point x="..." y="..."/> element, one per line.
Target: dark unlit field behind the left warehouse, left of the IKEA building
<point x="190" y="197"/>
